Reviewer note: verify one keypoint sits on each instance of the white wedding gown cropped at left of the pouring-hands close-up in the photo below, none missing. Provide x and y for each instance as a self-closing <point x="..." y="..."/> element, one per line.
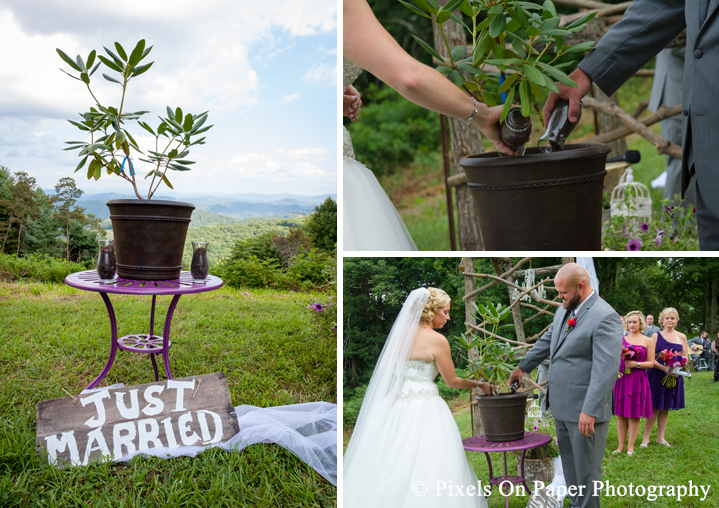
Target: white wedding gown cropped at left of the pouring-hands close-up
<point x="370" y="221"/>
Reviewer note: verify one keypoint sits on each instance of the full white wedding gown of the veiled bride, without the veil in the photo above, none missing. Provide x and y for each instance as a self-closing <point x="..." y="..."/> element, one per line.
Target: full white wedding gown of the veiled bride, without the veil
<point x="416" y="456"/>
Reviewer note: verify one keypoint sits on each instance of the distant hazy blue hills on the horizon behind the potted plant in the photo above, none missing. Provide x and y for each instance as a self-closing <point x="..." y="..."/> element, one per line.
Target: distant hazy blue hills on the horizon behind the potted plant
<point x="236" y="206"/>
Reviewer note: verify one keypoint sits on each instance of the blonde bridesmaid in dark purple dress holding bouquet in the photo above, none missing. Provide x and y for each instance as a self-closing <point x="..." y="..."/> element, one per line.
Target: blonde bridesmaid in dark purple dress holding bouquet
<point x="665" y="399"/>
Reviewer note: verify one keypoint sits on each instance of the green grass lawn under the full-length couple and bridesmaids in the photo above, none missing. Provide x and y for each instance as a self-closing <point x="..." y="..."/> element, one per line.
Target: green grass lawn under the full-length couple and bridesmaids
<point x="694" y="455"/>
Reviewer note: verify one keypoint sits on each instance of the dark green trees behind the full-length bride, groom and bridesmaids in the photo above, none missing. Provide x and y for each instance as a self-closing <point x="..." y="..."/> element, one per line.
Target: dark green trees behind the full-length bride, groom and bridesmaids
<point x="375" y="288"/>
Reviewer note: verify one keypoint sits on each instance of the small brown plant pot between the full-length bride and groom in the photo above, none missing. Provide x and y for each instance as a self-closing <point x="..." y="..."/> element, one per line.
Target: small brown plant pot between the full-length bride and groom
<point x="503" y="416"/>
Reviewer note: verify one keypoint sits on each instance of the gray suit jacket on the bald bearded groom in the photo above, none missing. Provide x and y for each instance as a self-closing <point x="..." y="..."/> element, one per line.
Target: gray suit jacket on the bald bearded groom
<point x="584" y="362"/>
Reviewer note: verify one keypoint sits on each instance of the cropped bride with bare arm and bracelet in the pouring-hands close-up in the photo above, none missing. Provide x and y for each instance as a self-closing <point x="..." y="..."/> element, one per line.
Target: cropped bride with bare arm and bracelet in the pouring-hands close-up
<point x="370" y="220"/>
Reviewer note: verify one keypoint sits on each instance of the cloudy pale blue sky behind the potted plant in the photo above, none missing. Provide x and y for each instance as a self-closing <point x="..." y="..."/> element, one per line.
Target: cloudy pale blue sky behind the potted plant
<point x="266" y="71"/>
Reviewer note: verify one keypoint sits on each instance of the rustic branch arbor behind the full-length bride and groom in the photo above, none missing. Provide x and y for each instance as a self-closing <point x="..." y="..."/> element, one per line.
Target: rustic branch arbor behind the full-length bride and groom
<point x="506" y="272"/>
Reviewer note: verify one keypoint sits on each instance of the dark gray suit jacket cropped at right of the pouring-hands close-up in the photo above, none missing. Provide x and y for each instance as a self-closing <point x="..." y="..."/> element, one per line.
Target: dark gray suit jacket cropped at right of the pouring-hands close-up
<point x="647" y="27"/>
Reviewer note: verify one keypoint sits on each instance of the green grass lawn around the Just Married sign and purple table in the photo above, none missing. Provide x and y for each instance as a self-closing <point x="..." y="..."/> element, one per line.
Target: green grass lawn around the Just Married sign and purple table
<point x="269" y="345"/>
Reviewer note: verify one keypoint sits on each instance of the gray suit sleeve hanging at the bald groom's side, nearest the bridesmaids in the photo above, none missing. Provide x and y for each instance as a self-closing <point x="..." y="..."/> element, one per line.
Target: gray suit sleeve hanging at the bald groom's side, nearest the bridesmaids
<point x="606" y="355"/>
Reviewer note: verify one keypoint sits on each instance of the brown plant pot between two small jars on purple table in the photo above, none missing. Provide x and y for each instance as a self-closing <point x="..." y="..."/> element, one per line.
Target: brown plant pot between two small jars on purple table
<point x="149" y="237"/>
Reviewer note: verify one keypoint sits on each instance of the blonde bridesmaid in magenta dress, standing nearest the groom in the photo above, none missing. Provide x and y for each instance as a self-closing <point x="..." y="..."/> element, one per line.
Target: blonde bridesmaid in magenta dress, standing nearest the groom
<point x="632" y="395"/>
